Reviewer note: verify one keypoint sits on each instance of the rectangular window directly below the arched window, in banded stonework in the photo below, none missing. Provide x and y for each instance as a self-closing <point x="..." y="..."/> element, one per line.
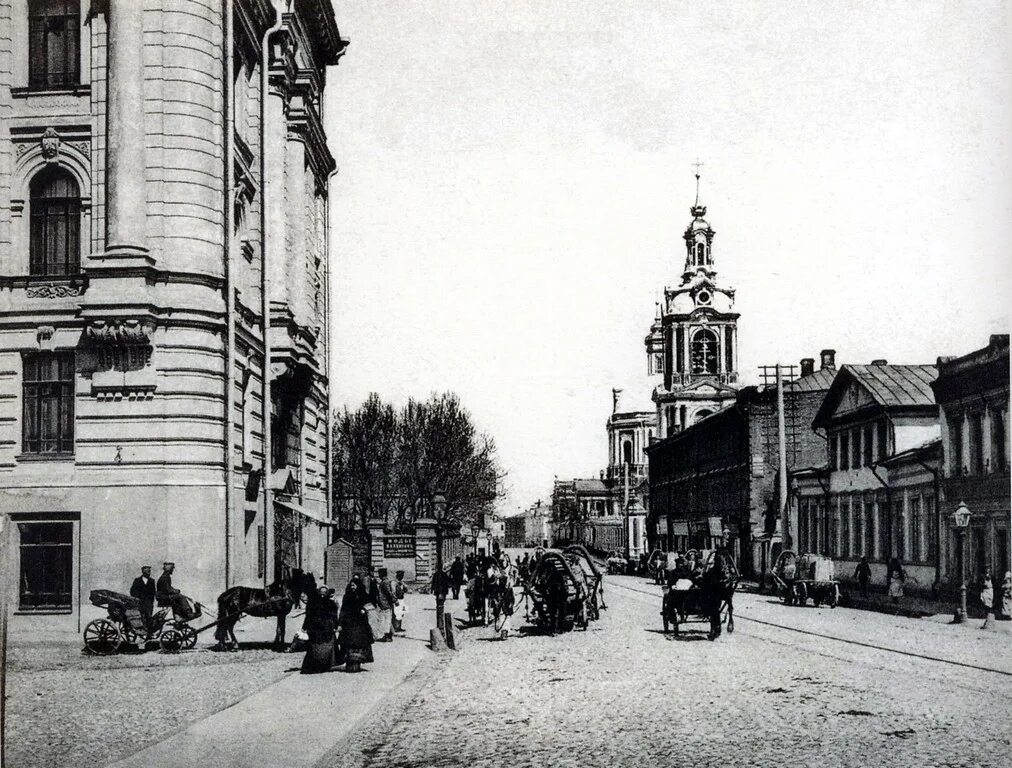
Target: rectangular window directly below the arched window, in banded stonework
<point x="48" y="404"/>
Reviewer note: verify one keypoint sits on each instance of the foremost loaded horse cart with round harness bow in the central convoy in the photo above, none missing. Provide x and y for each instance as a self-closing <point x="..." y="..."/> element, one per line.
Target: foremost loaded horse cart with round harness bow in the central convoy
<point x="560" y="592"/>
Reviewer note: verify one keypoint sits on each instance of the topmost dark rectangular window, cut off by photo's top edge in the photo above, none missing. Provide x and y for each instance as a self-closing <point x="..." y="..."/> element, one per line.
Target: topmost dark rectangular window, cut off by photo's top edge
<point x="54" y="44"/>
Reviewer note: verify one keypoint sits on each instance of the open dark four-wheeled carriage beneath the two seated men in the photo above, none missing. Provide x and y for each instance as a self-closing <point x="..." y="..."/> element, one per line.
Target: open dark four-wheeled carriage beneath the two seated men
<point x="126" y="624"/>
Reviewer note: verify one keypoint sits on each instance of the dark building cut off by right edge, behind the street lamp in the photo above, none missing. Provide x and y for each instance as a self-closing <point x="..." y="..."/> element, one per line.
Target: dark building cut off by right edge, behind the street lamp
<point x="973" y="393"/>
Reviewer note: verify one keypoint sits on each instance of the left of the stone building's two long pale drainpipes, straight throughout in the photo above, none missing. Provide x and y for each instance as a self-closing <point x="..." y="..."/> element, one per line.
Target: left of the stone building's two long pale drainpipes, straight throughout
<point x="230" y="292"/>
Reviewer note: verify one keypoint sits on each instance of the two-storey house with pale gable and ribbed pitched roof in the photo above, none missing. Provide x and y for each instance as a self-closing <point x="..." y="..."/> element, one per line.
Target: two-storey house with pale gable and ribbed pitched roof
<point x="874" y="494"/>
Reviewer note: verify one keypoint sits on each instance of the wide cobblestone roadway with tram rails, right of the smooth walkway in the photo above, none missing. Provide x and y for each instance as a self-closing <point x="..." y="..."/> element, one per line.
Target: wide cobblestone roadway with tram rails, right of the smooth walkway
<point x="623" y="695"/>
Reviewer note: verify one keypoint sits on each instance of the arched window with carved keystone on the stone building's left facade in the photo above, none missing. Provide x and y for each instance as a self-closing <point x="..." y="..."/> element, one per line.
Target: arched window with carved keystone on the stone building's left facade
<point x="56" y="224"/>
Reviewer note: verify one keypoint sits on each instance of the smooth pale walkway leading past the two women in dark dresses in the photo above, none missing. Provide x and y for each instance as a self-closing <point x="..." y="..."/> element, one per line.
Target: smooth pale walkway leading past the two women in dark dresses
<point x="296" y="721"/>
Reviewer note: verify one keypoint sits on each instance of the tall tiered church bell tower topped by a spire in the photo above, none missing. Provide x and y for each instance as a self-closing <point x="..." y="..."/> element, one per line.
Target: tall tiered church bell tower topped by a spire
<point x="693" y="346"/>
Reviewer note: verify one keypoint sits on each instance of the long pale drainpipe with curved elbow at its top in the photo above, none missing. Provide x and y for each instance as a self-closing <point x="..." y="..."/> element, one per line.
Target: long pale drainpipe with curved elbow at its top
<point x="266" y="186"/>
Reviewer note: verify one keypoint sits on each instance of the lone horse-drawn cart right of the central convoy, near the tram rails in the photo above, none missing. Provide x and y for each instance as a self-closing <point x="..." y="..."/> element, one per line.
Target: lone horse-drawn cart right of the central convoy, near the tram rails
<point x="705" y="595"/>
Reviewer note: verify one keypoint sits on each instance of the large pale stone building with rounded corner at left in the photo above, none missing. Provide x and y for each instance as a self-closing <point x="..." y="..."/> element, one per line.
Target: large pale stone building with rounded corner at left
<point x="164" y="180"/>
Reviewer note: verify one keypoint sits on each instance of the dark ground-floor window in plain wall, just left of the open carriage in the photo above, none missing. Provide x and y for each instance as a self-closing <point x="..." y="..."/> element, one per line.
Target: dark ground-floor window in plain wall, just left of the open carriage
<point x="47" y="566"/>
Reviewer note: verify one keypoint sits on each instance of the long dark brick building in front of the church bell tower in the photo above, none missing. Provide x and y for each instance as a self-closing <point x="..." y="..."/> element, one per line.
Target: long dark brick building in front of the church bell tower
<point x="722" y="474"/>
